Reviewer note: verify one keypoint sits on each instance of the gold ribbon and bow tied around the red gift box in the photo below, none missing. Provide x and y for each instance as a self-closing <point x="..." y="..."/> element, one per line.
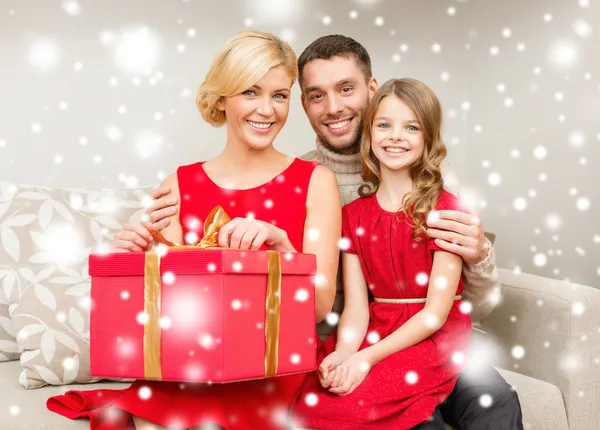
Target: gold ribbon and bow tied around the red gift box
<point x="216" y="219"/>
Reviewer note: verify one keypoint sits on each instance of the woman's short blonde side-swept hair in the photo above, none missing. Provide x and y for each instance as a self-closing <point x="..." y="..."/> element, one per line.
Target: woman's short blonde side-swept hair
<point x="242" y="62"/>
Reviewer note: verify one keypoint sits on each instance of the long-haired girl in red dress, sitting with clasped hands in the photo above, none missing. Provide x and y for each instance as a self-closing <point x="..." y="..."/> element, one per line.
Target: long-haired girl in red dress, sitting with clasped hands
<point x="397" y="354"/>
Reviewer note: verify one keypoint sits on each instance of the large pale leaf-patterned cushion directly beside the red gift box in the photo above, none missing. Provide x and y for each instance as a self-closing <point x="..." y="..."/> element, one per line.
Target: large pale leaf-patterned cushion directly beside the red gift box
<point x="51" y="233"/>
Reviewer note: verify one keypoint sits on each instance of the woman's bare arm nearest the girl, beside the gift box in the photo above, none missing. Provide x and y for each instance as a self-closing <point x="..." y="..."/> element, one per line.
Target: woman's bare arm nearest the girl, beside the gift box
<point x="322" y="232"/>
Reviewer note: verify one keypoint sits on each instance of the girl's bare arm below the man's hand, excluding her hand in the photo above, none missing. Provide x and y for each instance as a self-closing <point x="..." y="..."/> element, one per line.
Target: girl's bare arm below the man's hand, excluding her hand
<point x="443" y="283"/>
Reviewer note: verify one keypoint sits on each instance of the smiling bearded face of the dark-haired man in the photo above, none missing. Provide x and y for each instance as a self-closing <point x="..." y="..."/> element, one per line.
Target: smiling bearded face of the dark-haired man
<point x="335" y="97"/>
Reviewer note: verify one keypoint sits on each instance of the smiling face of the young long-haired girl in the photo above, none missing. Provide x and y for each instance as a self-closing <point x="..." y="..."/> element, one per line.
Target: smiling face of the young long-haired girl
<point x="396" y="136"/>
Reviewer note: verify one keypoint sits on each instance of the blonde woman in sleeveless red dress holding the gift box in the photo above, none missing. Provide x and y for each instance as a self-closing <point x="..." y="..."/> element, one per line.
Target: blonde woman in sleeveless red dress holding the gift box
<point x="273" y="200"/>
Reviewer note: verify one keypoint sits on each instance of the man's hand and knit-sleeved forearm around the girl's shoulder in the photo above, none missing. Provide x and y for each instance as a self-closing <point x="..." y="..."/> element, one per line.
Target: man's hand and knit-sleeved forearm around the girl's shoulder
<point x="462" y="234"/>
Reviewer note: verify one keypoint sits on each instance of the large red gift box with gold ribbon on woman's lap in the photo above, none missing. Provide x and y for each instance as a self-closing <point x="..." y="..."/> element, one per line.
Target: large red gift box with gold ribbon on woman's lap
<point x="202" y="315"/>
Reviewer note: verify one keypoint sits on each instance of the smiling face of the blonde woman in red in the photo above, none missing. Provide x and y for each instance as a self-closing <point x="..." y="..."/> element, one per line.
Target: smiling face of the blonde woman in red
<point x="256" y="116"/>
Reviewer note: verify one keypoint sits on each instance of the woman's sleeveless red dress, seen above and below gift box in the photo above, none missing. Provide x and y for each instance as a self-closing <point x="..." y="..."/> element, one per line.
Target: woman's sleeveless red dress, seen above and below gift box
<point x="250" y="405"/>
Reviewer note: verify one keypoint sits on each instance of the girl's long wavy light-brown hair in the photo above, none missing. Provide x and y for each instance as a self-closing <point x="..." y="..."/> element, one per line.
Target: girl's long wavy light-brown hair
<point x="425" y="173"/>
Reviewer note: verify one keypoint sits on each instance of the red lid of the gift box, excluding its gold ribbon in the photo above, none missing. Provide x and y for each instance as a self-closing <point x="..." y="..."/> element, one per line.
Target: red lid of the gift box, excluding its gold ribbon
<point x="199" y="262"/>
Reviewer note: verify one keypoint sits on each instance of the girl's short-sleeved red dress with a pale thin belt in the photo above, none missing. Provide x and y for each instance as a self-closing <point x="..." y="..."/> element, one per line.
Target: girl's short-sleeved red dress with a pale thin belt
<point x="404" y="389"/>
